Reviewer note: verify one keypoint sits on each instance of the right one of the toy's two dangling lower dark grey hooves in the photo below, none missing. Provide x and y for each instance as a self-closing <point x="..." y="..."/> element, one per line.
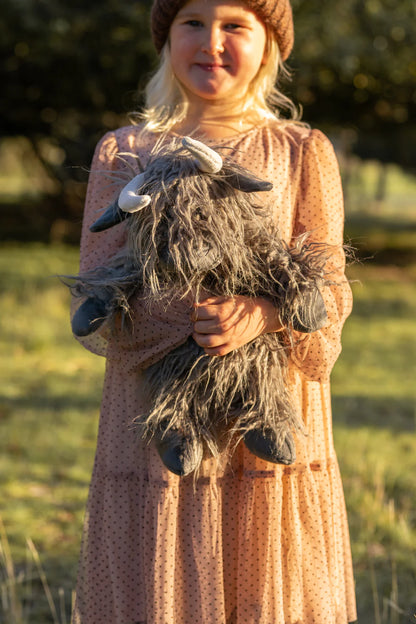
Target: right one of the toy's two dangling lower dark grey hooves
<point x="262" y="443"/>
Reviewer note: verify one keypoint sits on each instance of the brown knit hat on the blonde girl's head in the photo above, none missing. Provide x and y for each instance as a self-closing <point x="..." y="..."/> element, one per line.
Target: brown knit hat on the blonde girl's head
<point x="277" y="14"/>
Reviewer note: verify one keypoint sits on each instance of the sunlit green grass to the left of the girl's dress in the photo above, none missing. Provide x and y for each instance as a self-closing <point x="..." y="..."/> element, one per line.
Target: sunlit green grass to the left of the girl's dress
<point x="49" y="401"/>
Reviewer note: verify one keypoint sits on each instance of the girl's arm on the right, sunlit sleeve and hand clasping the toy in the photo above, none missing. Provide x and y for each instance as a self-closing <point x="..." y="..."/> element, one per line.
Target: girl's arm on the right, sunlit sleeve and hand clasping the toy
<point x="221" y="325"/>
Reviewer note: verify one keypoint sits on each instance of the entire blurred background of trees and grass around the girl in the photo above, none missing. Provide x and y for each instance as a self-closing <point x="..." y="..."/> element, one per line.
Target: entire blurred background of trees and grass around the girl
<point x="68" y="73"/>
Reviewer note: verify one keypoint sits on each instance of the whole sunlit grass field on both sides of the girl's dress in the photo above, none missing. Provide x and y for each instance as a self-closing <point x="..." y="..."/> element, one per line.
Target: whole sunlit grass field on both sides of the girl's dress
<point x="49" y="400"/>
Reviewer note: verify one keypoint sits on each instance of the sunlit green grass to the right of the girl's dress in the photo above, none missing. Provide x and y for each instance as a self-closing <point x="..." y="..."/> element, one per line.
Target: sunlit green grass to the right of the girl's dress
<point x="374" y="404"/>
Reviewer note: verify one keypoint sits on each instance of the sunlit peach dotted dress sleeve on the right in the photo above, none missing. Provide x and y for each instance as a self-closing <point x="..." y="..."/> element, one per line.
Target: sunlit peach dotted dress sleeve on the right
<point x="320" y="211"/>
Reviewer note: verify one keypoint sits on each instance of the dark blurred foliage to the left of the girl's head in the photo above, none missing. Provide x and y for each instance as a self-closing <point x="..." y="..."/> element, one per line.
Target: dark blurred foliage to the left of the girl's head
<point x="67" y="72"/>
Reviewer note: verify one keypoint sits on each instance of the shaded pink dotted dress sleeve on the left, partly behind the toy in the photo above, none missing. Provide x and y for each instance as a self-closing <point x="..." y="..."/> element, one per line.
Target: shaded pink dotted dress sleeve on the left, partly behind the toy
<point x="151" y="333"/>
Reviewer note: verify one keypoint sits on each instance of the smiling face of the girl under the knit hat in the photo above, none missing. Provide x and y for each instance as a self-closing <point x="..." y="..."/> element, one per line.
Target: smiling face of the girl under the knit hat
<point x="216" y="48"/>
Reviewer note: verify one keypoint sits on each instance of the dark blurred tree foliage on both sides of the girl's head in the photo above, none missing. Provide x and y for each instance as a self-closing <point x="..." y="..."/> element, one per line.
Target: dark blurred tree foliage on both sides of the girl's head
<point x="70" y="71"/>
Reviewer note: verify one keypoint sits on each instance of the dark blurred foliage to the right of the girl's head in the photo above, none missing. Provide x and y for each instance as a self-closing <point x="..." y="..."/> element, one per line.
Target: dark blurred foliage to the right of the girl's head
<point x="356" y="68"/>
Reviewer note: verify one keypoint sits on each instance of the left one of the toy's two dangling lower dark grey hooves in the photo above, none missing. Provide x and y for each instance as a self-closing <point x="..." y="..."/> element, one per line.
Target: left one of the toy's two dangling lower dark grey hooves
<point x="180" y="455"/>
